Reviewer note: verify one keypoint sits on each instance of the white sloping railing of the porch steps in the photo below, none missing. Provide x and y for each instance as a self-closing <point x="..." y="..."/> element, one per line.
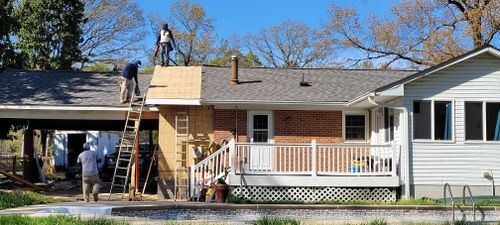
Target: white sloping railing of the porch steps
<point x="211" y="168"/>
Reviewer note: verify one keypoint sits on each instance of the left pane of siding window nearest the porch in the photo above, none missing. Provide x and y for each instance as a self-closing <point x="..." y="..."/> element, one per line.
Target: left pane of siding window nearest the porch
<point x="422" y="119"/>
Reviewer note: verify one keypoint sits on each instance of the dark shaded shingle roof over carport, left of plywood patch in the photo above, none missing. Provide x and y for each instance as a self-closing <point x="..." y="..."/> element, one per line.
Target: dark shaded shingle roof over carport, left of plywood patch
<point x="62" y="88"/>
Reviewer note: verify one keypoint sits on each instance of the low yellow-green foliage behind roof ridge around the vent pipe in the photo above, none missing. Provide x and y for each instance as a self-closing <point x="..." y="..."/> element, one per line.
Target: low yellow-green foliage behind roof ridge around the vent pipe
<point x="245" y="60"/>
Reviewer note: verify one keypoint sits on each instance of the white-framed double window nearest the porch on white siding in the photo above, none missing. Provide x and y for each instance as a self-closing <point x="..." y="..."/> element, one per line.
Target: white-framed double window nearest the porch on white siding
<point x="432" y="120"/>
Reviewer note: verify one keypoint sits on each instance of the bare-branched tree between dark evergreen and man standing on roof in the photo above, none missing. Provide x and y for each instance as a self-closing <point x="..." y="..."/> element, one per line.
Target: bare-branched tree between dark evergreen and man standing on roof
<point x="112" y="29"/>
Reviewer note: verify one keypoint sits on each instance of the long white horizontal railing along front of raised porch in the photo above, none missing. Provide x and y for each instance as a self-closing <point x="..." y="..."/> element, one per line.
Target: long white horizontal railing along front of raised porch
<point x="313" y="159"/>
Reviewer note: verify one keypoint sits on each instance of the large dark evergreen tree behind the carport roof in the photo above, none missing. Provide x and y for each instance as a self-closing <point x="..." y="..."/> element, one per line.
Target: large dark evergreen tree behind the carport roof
<point x="49" y="32"/>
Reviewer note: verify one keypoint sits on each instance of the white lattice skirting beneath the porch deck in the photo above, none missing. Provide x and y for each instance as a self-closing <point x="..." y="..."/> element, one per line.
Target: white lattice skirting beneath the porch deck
<point x="314" y="194"/>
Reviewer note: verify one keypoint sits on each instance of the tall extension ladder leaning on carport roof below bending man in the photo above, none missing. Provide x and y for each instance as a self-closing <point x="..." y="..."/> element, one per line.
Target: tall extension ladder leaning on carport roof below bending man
<point x="127" y="145"/>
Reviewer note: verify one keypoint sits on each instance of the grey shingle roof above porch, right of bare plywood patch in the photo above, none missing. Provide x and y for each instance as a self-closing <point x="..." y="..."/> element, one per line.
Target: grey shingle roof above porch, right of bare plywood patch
<point x="282" y="85"/>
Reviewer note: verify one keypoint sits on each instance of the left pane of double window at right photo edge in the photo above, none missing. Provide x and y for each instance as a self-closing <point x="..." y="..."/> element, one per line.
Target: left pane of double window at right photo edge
<point x="473" y="121"/>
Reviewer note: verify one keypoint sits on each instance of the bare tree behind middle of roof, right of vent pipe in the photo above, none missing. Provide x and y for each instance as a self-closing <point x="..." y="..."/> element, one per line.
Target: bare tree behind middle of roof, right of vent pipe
<point x="290" y="44"/>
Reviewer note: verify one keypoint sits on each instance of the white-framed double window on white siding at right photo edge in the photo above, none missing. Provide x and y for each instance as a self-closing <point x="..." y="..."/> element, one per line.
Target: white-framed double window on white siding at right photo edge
<point x="482" y="121"/>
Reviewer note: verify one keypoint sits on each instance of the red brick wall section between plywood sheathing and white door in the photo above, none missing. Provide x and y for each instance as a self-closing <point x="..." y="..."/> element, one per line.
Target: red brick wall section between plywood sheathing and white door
<point x="225" y="122"/>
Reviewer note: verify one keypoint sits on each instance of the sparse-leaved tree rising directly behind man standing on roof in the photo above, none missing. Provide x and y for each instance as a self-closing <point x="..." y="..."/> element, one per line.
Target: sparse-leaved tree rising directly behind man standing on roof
<point x="192" y="30"/>
